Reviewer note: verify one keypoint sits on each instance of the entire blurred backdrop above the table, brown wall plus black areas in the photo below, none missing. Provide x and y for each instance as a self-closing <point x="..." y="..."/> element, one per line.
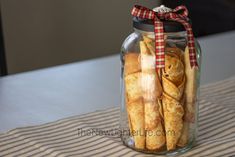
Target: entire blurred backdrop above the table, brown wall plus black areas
<point x="43" y="33"/>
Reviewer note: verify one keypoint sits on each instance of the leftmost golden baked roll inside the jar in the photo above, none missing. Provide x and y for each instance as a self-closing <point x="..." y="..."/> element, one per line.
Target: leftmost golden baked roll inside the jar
<point x="134" y="100"/>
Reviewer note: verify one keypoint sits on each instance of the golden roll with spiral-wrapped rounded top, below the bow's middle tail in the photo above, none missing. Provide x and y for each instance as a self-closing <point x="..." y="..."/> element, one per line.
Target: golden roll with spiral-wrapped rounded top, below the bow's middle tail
<point x="173" y="81"/>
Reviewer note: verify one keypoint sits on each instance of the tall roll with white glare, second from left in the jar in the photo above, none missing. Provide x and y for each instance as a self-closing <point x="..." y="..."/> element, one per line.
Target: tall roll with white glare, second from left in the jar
<point x="152" y="90"/>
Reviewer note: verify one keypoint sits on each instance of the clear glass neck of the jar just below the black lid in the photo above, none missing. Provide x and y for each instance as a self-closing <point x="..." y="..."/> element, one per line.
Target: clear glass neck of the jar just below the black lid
<point x="181" y="34"/>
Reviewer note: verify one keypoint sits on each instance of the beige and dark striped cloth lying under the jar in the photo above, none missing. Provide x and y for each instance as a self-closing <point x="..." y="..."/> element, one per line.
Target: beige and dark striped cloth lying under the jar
<point x="76" y="136"/>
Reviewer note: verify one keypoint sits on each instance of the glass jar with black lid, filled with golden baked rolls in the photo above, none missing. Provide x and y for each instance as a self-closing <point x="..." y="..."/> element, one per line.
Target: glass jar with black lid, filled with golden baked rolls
<point x="159" y="108"/>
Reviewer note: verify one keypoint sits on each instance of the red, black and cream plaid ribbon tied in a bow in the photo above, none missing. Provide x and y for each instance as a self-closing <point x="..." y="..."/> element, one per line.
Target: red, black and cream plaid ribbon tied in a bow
<point x="179" y="14"/>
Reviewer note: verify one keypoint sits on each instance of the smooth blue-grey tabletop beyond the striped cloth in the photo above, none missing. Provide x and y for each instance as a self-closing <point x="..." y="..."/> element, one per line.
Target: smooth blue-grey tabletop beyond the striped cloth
<point x="50" y="94"/>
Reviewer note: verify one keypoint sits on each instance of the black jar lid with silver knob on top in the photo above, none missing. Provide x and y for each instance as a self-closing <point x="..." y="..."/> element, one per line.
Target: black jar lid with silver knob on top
<point x="148" y="25"/>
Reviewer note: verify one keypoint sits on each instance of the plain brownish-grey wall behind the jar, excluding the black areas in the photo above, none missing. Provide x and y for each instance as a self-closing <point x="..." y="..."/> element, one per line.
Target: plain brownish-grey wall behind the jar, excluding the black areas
<point x="42" y="33"/>
